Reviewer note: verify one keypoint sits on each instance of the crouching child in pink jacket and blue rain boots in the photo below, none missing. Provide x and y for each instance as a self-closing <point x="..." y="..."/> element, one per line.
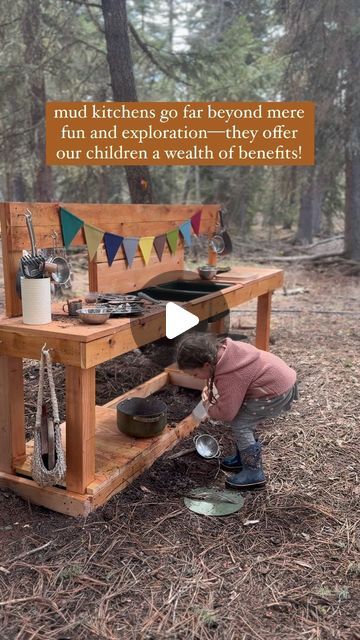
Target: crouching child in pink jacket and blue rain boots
<point x="251" y="385"/>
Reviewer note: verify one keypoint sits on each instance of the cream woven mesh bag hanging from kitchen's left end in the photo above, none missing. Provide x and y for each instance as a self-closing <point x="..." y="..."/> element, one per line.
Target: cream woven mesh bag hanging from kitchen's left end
<point x="40" y="473"/>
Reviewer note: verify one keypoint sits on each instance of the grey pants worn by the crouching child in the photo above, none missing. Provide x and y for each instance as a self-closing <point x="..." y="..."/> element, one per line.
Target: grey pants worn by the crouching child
<point x="254" y="410"/>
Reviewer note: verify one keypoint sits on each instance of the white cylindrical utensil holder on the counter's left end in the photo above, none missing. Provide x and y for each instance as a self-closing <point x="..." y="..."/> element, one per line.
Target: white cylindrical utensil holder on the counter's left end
<point x="36" y="300"/>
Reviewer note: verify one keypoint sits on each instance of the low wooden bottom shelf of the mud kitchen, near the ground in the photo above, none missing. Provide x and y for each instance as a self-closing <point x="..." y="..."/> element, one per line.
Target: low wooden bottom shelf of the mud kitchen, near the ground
<point x="119" y="458"/>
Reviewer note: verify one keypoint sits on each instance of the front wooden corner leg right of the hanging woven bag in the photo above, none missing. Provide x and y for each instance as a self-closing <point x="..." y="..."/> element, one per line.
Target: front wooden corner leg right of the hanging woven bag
<point x="80" y="428"/>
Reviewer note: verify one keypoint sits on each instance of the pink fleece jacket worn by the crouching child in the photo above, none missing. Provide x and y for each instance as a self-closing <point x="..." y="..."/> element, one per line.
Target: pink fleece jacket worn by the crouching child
<point x="243" y="371"/>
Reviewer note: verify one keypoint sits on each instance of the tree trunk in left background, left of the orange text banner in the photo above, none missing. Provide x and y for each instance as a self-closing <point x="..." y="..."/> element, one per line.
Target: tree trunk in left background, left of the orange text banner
<point x="34" y="53"/>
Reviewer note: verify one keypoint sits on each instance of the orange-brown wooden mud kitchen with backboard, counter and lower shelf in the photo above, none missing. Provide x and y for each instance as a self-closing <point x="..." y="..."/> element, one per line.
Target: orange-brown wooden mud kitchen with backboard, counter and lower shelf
<point x="100" y="460"/>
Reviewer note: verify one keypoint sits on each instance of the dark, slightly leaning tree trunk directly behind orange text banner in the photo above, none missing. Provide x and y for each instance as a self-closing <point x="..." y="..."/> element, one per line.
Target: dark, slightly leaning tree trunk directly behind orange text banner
<point x="123" y="85"/>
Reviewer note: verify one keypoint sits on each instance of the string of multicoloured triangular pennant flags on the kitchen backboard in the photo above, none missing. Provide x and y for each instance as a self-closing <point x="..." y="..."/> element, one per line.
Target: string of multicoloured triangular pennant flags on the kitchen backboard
<point x="71" y="224"/>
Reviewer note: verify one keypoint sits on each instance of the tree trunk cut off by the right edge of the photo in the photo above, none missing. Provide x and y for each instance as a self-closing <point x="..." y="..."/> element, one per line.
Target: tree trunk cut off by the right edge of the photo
<point x="352" y="142"/>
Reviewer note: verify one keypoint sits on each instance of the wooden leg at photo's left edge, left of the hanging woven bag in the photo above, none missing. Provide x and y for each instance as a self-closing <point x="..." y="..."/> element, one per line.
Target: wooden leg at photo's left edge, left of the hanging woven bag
<point x="12" y="417"/>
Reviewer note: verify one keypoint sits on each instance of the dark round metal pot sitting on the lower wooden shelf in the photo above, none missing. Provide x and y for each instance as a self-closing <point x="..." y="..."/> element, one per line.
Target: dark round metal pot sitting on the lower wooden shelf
<point x="141" y="417"/>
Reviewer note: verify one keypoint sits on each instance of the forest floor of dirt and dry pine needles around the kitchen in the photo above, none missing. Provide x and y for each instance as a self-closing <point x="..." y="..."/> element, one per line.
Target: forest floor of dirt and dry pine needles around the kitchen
<point x="144" y="567"/>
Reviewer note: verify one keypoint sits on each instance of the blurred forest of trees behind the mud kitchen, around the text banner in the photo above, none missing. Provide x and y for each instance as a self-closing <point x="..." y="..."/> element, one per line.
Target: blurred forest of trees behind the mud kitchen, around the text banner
<point x="203" y="50"/>
